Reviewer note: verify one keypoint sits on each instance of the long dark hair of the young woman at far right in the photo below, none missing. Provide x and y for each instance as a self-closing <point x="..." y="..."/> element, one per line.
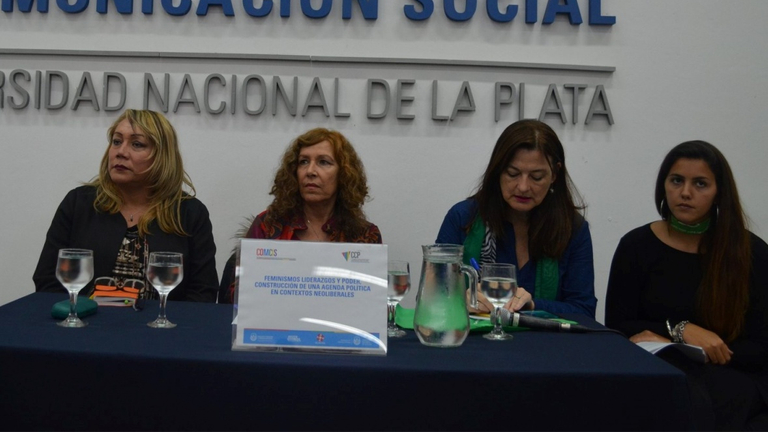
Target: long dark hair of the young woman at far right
<point x="723" y="296"/>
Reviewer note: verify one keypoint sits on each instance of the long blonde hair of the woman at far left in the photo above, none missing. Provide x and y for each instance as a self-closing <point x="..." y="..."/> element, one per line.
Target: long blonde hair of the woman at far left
<point x="166" y="176"/>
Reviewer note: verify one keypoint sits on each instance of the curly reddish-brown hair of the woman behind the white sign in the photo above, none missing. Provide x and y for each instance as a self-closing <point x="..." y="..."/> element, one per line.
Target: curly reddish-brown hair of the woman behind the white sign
<point x="352" y="183"/>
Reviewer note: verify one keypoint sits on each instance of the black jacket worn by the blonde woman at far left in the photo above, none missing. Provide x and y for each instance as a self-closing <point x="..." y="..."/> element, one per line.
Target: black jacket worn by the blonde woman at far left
<point x="77" y="224"/>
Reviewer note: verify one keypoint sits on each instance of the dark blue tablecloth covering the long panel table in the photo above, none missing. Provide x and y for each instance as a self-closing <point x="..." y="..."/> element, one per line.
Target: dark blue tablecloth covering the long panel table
<point x="119" y="374"/>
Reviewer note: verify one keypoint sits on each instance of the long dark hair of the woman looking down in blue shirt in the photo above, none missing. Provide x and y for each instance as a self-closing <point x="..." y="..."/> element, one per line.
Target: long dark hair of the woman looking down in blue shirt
<point x="551" y="223"/>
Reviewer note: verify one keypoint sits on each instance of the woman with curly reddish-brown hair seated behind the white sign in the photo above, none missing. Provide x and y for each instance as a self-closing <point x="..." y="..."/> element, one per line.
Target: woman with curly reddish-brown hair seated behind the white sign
<point x="319" y="189"/>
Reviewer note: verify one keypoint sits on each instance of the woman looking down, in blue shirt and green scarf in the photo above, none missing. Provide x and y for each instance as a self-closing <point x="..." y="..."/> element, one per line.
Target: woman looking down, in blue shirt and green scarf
<point x="524" y="213"/>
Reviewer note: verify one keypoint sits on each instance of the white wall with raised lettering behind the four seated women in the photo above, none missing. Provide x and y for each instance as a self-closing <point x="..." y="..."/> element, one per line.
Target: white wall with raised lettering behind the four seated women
<point x="688" y="69"/>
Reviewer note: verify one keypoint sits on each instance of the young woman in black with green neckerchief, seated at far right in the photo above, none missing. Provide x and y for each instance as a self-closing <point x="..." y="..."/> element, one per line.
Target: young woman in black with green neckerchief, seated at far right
<point x="698" y="276"/>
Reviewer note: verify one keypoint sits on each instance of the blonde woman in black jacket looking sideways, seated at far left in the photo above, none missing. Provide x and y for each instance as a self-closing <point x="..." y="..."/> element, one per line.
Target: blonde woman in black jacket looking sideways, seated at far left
<point x="137" y="204"/>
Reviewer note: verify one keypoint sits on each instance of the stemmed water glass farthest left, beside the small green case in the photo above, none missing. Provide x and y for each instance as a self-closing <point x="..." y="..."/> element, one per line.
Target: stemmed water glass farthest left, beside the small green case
<point x="74" y="270"/>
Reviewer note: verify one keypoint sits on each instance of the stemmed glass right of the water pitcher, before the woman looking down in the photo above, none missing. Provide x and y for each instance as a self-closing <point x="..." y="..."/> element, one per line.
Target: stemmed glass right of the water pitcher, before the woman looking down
<point x="499" y="284"/>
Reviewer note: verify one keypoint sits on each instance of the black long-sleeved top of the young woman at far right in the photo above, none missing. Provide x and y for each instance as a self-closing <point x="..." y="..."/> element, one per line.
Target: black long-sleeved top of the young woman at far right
<point x="651" y="282"/>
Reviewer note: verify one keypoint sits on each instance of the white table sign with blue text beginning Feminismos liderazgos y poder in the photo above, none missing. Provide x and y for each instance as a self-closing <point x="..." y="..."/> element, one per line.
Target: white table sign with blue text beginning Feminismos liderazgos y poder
<point x="311" y="296"/>
